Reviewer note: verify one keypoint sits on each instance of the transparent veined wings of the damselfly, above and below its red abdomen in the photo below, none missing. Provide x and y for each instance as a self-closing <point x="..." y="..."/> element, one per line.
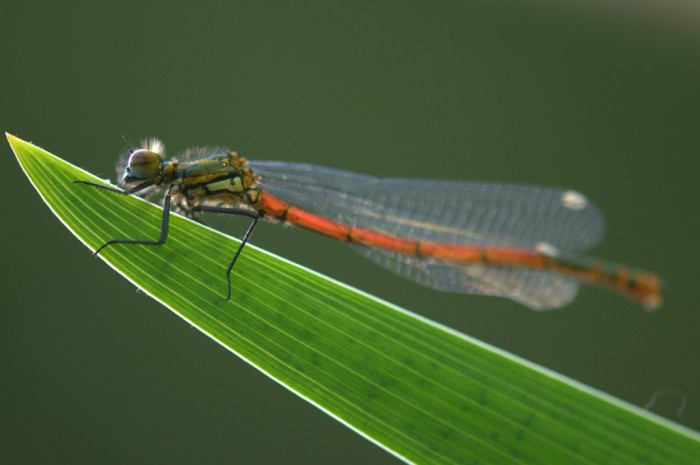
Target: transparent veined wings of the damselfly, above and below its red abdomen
<point x="508" y="215"/>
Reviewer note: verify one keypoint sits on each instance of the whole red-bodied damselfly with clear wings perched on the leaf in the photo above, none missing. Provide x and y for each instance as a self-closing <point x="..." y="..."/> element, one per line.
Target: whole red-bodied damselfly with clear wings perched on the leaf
<point x="516" y="241"/>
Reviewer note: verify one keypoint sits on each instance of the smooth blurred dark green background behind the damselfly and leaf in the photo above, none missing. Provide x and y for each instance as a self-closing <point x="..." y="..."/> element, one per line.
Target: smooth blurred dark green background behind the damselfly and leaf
<point x="602" y="100"/>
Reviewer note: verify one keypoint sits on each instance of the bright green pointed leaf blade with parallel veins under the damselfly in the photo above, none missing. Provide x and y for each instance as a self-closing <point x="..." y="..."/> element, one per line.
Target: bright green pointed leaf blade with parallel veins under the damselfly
<point x="423" y="392"/>
